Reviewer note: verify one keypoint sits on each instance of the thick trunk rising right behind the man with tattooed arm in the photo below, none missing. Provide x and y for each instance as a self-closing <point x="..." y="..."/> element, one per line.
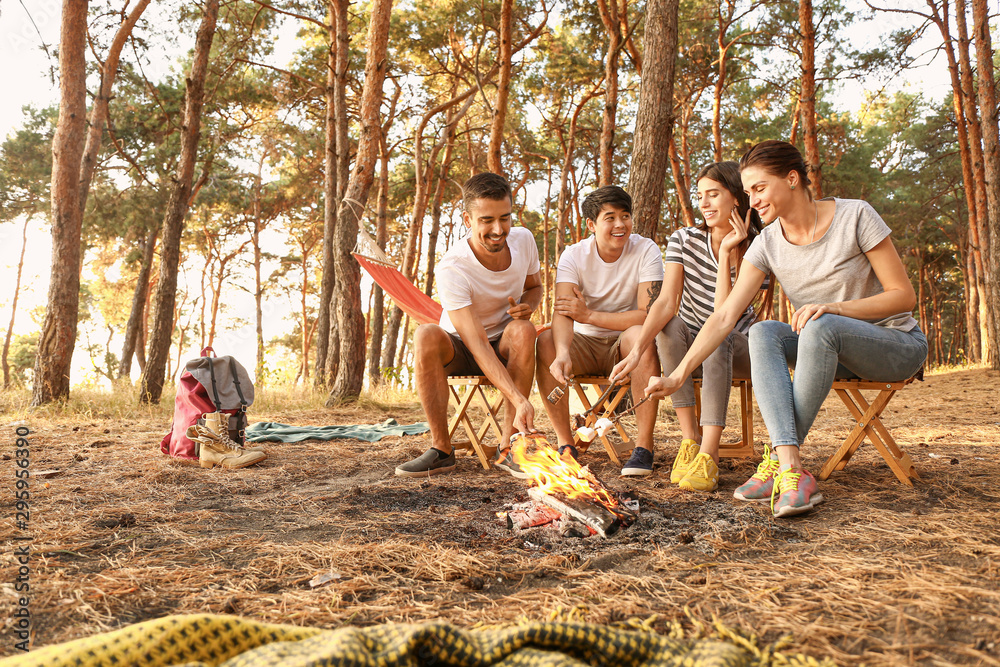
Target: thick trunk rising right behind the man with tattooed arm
<point x="654" y="116"/>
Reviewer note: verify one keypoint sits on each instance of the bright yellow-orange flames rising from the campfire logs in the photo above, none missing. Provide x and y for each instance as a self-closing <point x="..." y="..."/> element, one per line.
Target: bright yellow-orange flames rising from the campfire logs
<point x="554" y="474"/>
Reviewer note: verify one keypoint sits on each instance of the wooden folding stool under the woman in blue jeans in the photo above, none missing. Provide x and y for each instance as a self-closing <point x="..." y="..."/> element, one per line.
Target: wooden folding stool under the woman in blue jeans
<point x="869" y="423"/>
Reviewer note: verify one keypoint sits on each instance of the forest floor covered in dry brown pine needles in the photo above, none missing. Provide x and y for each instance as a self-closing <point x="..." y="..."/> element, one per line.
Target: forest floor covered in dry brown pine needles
<point x="881" y="573"/>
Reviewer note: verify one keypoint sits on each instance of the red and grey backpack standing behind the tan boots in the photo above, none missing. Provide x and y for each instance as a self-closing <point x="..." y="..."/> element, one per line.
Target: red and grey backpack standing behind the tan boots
<point x="208" y="384"/>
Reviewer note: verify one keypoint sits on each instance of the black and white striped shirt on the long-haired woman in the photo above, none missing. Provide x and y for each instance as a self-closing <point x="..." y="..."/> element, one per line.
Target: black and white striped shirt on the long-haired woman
<point x="691" y="248"/>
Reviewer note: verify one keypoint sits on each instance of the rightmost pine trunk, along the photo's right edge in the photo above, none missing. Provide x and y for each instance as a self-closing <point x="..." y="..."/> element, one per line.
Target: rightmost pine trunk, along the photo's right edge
<point x="991" y="160"/>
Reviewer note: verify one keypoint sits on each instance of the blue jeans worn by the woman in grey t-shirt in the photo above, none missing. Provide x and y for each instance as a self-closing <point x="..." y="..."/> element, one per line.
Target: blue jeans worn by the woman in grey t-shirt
<point x="830" y="347"/>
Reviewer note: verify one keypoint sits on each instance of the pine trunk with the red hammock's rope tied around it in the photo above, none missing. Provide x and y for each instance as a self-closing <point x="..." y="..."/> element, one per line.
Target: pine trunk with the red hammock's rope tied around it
<point x="350" y="372"/>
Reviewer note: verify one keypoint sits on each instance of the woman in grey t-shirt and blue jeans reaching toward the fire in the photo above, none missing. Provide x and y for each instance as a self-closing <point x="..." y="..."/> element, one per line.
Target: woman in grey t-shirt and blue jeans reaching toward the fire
<point x="853" y="303"/>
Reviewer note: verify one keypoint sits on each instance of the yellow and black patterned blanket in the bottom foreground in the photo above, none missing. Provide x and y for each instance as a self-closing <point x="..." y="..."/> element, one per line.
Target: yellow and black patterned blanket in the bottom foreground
<point x="199" y="640"/>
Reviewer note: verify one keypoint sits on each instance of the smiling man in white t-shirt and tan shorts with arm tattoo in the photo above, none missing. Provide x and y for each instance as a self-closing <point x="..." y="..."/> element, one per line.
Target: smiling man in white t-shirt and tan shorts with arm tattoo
<point x="605" y="285"/>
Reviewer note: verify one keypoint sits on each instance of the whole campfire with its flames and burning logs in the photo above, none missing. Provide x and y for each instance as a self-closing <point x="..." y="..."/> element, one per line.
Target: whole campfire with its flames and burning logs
<point x="565" y="495"/>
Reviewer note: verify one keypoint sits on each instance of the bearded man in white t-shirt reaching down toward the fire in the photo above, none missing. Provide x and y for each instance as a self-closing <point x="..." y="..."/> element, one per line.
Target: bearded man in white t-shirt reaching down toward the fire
<point x="489" y="284"/>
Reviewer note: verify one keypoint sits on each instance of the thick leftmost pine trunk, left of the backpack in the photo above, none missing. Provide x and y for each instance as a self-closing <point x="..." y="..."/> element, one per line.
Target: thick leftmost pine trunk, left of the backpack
<point x="58" y="334"/>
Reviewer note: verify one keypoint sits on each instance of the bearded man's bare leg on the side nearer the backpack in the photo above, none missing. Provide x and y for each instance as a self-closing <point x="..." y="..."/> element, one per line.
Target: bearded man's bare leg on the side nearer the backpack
<point x="433" y="351"/>
